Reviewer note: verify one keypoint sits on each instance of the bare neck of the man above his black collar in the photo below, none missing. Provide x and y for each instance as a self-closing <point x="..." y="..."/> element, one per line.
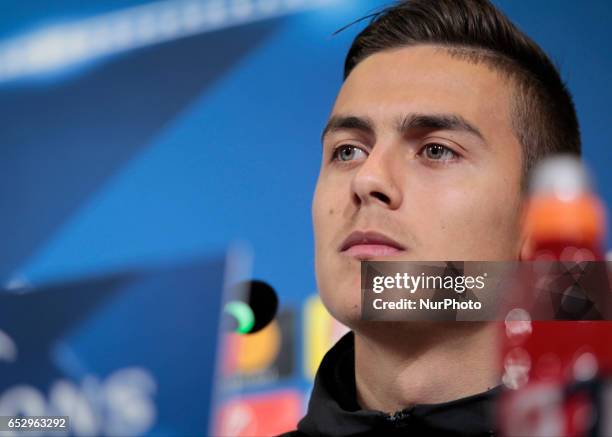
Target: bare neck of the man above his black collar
<point x="414" y="363"/>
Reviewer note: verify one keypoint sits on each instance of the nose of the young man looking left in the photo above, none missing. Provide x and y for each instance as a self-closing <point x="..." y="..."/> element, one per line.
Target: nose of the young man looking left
<point x="377" y="180"/>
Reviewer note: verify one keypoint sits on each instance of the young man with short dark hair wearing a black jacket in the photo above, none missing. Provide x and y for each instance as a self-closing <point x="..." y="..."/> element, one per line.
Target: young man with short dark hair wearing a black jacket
<point x="445" y="108"/>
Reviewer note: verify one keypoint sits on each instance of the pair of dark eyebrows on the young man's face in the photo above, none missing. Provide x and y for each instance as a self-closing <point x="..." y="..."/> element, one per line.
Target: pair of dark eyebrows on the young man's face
<point x="410" y="122"/>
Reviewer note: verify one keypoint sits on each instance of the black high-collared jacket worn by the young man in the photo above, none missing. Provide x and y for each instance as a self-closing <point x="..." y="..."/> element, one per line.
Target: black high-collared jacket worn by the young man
<point x="333" y="409"/>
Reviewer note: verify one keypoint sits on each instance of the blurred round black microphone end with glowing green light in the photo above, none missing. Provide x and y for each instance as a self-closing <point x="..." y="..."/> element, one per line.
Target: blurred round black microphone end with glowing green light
<point x="251" y="307"/>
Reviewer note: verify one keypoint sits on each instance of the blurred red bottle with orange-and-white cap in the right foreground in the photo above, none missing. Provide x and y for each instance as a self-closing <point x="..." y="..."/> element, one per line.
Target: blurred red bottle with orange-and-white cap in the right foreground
<point x="559" y="373"/>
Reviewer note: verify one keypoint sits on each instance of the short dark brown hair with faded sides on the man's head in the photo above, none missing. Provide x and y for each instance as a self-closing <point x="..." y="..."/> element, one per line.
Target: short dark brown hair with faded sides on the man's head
<point x="543" y="115"/>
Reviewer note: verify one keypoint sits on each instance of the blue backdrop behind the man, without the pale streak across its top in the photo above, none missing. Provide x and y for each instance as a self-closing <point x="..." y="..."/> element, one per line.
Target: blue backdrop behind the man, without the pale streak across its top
<point x="175" y="149"/>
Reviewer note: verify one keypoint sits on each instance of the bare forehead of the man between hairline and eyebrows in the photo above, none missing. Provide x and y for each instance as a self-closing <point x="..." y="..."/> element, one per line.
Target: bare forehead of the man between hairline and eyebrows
<point x="426" y="79"/>
